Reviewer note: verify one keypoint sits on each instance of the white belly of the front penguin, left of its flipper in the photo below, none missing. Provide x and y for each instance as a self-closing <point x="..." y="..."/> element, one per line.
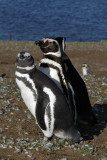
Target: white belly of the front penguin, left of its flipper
<point x="28" y="96"/>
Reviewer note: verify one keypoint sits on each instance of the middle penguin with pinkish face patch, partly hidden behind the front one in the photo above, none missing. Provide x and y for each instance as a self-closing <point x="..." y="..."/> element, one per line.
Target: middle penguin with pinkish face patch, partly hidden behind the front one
<point x="51" y="64"/>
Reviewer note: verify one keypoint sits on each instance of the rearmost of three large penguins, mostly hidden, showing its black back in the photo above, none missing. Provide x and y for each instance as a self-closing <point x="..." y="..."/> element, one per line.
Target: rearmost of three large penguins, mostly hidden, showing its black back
<point x="85" y="113"/>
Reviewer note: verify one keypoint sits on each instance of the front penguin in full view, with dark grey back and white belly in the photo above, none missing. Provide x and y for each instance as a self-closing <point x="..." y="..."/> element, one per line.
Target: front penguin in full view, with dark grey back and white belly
<point x="44" y="100"/>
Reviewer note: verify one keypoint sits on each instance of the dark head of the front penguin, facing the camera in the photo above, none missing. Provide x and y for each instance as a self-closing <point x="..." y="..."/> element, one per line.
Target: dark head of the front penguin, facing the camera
<point x="24" y="59"/>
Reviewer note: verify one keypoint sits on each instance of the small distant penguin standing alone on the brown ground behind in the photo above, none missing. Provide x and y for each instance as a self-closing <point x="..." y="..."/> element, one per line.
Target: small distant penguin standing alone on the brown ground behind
<point x="86" y="70"/>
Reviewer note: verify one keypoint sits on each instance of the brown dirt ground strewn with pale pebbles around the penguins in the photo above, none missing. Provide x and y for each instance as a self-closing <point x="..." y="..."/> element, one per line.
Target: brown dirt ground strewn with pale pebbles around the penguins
<point x="20" y="137"/>
